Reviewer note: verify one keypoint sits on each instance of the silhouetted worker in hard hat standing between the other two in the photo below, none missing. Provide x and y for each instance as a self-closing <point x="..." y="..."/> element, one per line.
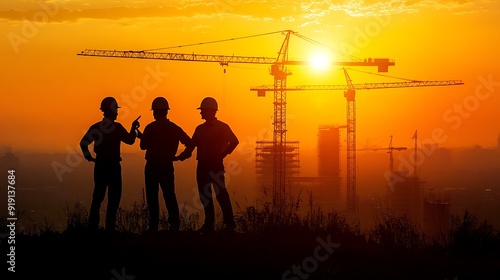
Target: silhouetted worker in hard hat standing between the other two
<point x="161" y="140"/>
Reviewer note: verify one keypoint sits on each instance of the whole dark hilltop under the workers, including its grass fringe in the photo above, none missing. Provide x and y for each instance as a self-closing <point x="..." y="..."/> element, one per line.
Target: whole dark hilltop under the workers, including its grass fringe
<point x="267" y="245"/>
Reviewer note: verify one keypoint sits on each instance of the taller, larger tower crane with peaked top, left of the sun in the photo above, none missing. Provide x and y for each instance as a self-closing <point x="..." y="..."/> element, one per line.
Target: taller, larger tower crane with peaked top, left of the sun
<point x="278" y="69"/>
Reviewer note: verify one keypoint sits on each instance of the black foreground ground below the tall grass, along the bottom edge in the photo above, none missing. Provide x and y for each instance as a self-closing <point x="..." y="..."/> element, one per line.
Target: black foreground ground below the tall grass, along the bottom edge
<point x="280" y="254"/>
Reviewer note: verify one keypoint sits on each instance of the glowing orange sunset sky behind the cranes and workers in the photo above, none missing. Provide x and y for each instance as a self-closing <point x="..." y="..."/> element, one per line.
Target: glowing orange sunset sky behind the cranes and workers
<point x="51" y="96"/>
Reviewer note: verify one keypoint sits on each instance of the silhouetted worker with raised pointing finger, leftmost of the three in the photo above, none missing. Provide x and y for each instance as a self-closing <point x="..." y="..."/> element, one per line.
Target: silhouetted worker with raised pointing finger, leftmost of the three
<point x="107" y="136"/>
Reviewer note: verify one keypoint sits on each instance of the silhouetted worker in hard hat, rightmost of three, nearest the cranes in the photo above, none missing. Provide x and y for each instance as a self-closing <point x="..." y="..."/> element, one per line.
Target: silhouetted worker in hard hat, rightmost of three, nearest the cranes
<point x="214" y="141"/>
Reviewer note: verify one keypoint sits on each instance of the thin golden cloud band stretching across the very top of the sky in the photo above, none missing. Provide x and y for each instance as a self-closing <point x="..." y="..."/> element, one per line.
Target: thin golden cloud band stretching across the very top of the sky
<point x="309" y="11"/>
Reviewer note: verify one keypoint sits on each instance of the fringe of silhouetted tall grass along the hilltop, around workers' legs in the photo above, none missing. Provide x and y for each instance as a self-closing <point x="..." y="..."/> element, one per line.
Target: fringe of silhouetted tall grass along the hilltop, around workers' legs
<point x="467" y="235"/>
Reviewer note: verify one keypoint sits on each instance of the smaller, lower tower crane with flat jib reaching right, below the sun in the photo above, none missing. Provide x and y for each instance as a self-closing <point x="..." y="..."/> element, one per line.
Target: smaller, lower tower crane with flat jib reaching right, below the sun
<point x="350" y="93"/>
